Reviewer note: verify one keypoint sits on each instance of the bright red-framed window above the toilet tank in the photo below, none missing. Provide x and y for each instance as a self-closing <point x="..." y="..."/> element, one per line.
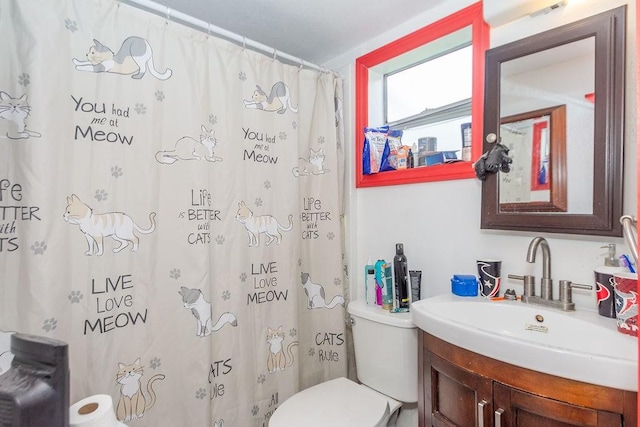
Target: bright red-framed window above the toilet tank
<point x="429" y="84"/>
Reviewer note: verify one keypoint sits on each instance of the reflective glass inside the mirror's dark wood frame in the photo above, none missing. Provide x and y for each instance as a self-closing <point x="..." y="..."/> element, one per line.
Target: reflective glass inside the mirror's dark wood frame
<point x="564" y="75"/>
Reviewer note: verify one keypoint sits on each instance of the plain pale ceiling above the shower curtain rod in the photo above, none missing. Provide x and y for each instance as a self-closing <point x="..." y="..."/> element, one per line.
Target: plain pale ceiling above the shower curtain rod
<point x="314" y="30"/>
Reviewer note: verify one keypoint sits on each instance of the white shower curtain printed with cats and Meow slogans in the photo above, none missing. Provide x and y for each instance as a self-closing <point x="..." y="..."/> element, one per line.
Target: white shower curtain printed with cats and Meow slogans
<point x="171" y="207"/>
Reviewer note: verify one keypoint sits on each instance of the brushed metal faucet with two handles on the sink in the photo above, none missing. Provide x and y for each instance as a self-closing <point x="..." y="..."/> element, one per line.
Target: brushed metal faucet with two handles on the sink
<point x="546" y="284"/>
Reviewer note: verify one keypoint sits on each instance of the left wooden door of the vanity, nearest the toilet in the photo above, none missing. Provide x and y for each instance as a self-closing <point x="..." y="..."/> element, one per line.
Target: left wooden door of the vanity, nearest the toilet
<point x="453" y="396"/>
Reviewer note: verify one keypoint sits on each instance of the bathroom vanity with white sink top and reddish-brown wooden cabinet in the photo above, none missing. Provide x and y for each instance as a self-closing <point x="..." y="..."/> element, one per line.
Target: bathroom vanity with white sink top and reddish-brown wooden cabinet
<point x="508" y="363"/>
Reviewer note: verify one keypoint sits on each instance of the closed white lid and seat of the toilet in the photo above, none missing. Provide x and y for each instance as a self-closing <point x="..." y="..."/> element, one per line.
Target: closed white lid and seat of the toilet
<point x="337" y="403"/>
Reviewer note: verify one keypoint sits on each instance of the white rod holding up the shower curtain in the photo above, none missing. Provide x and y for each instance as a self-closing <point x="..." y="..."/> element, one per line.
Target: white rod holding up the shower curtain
<point x="172" y="14"/>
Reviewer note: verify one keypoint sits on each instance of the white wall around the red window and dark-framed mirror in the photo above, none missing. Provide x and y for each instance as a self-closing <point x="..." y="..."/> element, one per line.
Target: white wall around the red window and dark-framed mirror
<point x="439" y="223"/>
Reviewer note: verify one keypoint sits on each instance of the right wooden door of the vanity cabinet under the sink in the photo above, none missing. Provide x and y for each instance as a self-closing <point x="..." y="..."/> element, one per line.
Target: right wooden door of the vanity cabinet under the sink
<point x="517" y="408"/>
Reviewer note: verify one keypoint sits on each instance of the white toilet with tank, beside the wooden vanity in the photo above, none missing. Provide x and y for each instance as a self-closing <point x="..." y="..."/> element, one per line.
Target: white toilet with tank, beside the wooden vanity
<point x="386" y="349"/>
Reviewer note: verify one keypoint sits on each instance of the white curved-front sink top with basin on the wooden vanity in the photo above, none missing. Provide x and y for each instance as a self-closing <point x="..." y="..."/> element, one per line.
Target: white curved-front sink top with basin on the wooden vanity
<point x="579" y="345"/>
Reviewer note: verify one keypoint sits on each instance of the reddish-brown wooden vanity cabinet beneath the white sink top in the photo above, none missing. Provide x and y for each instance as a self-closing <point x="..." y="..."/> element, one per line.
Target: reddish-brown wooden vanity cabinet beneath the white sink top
<point x="458" y="387"/>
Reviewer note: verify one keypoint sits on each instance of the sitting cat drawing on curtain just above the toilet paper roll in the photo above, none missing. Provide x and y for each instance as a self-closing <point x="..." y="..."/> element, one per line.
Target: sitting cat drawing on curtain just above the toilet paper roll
<point x="132" y="403"/>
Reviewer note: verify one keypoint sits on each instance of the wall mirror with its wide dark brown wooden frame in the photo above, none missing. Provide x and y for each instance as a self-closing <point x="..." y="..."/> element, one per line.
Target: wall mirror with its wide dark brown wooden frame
<point x="556" y="100"/>
